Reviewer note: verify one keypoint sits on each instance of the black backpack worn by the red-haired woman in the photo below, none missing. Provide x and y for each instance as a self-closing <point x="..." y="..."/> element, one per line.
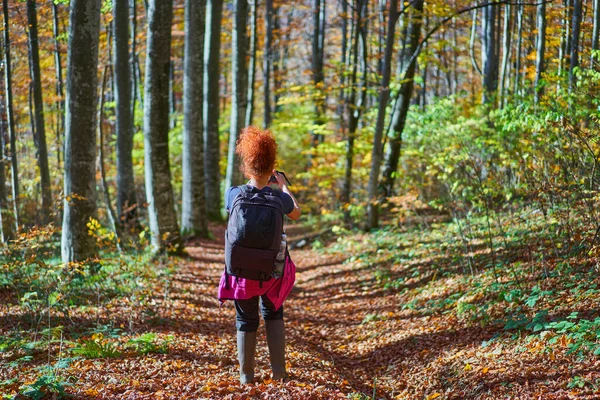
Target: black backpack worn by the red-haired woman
<point x="253" y="235"/>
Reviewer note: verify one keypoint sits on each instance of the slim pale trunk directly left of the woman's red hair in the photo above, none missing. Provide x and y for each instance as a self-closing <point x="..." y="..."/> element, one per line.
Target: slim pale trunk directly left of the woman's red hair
<point x="238" y="89"/>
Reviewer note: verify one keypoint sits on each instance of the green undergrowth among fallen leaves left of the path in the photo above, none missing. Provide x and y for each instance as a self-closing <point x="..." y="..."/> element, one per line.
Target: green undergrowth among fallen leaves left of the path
<point x="57" y="312"/>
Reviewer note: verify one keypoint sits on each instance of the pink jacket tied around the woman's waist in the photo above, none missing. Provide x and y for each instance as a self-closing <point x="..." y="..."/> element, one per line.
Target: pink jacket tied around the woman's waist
<point x="277" y="290"/>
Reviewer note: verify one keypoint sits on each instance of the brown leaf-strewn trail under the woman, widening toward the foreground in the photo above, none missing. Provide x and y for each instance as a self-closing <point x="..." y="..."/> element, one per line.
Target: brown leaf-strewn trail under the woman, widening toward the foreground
<point x="345" y="334"/>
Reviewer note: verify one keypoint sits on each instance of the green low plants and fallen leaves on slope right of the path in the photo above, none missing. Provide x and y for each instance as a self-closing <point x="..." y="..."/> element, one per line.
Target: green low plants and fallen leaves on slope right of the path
<point x="520" y="274"/>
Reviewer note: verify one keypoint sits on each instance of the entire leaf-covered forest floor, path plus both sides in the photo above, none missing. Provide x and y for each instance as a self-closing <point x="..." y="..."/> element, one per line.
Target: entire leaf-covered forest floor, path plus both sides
<point x="389" y="315"/>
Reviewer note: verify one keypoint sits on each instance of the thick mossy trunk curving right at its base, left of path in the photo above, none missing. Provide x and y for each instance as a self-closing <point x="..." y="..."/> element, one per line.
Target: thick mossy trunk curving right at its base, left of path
<point x="159" y="192"/>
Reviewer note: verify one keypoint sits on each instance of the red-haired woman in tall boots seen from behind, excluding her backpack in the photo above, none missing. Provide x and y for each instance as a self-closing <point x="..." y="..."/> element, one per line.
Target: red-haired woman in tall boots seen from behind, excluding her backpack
<point x="258" y="150"/>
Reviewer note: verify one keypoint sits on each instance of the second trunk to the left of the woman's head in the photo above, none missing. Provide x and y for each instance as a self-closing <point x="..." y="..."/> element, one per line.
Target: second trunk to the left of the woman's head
<point x="212" y="46"/>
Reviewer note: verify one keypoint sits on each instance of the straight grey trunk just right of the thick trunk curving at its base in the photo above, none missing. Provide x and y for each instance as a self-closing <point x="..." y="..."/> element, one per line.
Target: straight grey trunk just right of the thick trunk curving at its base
<point x="193" y="204"/>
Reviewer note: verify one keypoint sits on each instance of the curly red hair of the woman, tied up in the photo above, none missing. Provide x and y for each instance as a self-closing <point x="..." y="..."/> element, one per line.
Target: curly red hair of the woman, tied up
<point x="257" y="150"/>
